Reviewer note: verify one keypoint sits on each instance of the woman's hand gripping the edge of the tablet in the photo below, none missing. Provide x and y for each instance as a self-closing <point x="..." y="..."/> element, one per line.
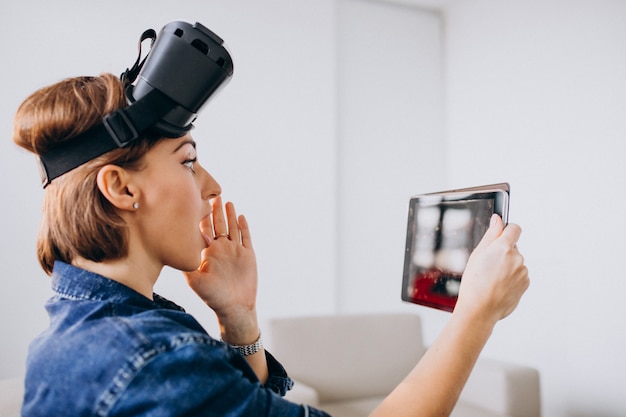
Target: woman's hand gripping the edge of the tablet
<point x="495" y="277"/>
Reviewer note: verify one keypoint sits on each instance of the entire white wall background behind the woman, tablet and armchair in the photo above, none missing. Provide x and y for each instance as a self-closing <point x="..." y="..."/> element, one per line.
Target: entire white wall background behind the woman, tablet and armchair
<point x="312" y="144"/>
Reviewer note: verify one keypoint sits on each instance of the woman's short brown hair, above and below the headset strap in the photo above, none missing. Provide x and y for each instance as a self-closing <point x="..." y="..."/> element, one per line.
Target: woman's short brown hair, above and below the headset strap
<point x="76" y="218"/>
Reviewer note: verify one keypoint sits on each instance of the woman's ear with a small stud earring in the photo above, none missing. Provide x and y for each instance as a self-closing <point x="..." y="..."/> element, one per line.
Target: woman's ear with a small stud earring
<point x="114" y="182"/>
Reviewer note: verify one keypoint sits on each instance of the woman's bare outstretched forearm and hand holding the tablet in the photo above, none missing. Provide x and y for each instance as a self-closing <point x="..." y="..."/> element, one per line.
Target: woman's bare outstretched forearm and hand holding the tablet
<point x="492" y="285"/>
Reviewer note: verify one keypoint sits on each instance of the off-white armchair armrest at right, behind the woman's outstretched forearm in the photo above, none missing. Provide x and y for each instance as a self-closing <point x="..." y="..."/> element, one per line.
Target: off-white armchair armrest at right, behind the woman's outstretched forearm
<point x="504" y="388"/>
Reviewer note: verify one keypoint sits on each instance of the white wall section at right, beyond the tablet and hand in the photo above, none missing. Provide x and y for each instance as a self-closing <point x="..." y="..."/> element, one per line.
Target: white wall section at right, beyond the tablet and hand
<point x="536" y="94"/>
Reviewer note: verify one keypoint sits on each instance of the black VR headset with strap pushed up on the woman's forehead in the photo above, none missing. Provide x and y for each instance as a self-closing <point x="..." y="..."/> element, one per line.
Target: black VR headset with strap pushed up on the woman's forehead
<point x="165" y="91"/>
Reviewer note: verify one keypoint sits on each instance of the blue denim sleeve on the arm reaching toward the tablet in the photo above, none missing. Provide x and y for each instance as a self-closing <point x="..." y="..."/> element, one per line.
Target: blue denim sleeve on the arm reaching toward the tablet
<point x="203" y="380"/>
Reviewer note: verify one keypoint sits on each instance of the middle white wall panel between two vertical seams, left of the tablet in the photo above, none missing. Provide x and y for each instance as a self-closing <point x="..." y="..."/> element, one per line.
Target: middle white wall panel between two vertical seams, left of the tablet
<point x="390" y="142"/>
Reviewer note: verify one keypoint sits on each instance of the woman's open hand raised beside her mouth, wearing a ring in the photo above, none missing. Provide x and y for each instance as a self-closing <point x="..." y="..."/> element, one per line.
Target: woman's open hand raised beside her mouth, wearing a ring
<point x="227" y="277"/>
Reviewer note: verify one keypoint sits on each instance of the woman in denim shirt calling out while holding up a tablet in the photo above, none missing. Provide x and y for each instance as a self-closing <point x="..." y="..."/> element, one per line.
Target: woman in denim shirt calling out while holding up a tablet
<point x="114" y="348"/>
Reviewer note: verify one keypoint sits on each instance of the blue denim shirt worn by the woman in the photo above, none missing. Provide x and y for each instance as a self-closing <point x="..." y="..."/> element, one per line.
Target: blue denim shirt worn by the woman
<point x="110" y="351"/>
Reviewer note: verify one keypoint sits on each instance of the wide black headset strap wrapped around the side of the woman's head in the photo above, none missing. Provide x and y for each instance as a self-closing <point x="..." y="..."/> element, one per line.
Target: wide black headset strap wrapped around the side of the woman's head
<point x="117" y="130"/>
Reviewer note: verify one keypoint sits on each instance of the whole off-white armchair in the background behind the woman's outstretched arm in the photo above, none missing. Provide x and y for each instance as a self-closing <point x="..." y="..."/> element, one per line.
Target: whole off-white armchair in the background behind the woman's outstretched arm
<point x="347" y="364"/>
